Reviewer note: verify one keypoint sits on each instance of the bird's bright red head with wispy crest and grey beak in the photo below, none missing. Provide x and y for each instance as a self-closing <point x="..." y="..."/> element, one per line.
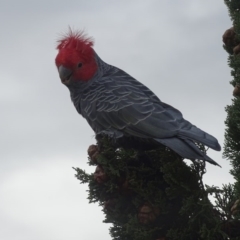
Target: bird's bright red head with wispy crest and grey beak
<point x="76" y="58"/>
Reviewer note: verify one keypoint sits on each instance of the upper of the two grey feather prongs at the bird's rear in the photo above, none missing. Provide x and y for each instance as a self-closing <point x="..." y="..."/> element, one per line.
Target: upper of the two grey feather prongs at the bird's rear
<point x="200" y="136"/>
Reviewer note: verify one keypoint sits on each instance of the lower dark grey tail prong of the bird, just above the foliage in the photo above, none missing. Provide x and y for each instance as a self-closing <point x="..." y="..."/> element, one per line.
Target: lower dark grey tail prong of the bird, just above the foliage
<point x="186" y="148"/>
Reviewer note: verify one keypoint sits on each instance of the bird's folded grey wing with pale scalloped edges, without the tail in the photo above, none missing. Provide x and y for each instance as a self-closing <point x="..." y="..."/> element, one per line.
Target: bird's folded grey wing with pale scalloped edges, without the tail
<point x="120" y="102"/>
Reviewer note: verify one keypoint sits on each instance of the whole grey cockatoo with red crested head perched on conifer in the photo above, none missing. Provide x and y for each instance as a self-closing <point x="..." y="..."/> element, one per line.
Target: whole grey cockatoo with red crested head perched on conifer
<point x="119" y="106"/>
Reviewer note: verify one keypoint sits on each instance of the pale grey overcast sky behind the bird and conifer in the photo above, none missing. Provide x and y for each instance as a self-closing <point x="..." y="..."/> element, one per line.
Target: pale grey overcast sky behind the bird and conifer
<point x="173" y="47"/>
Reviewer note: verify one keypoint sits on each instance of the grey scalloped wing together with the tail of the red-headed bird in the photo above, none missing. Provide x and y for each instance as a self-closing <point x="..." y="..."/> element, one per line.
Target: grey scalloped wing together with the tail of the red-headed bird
<point x="119" y="102"/>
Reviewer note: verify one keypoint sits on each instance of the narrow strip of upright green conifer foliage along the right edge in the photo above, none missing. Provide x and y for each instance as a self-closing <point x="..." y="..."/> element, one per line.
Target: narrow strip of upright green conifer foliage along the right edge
<point x="232" y="133"/>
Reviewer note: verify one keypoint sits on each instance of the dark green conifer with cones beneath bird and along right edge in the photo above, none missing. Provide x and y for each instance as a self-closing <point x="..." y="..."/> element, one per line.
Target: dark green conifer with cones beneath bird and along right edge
<point x="152" y="194"/>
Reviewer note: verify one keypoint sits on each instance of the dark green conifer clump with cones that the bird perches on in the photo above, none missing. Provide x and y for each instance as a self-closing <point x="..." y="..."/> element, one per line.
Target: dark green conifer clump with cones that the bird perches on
<point x="173" y="192"/>
